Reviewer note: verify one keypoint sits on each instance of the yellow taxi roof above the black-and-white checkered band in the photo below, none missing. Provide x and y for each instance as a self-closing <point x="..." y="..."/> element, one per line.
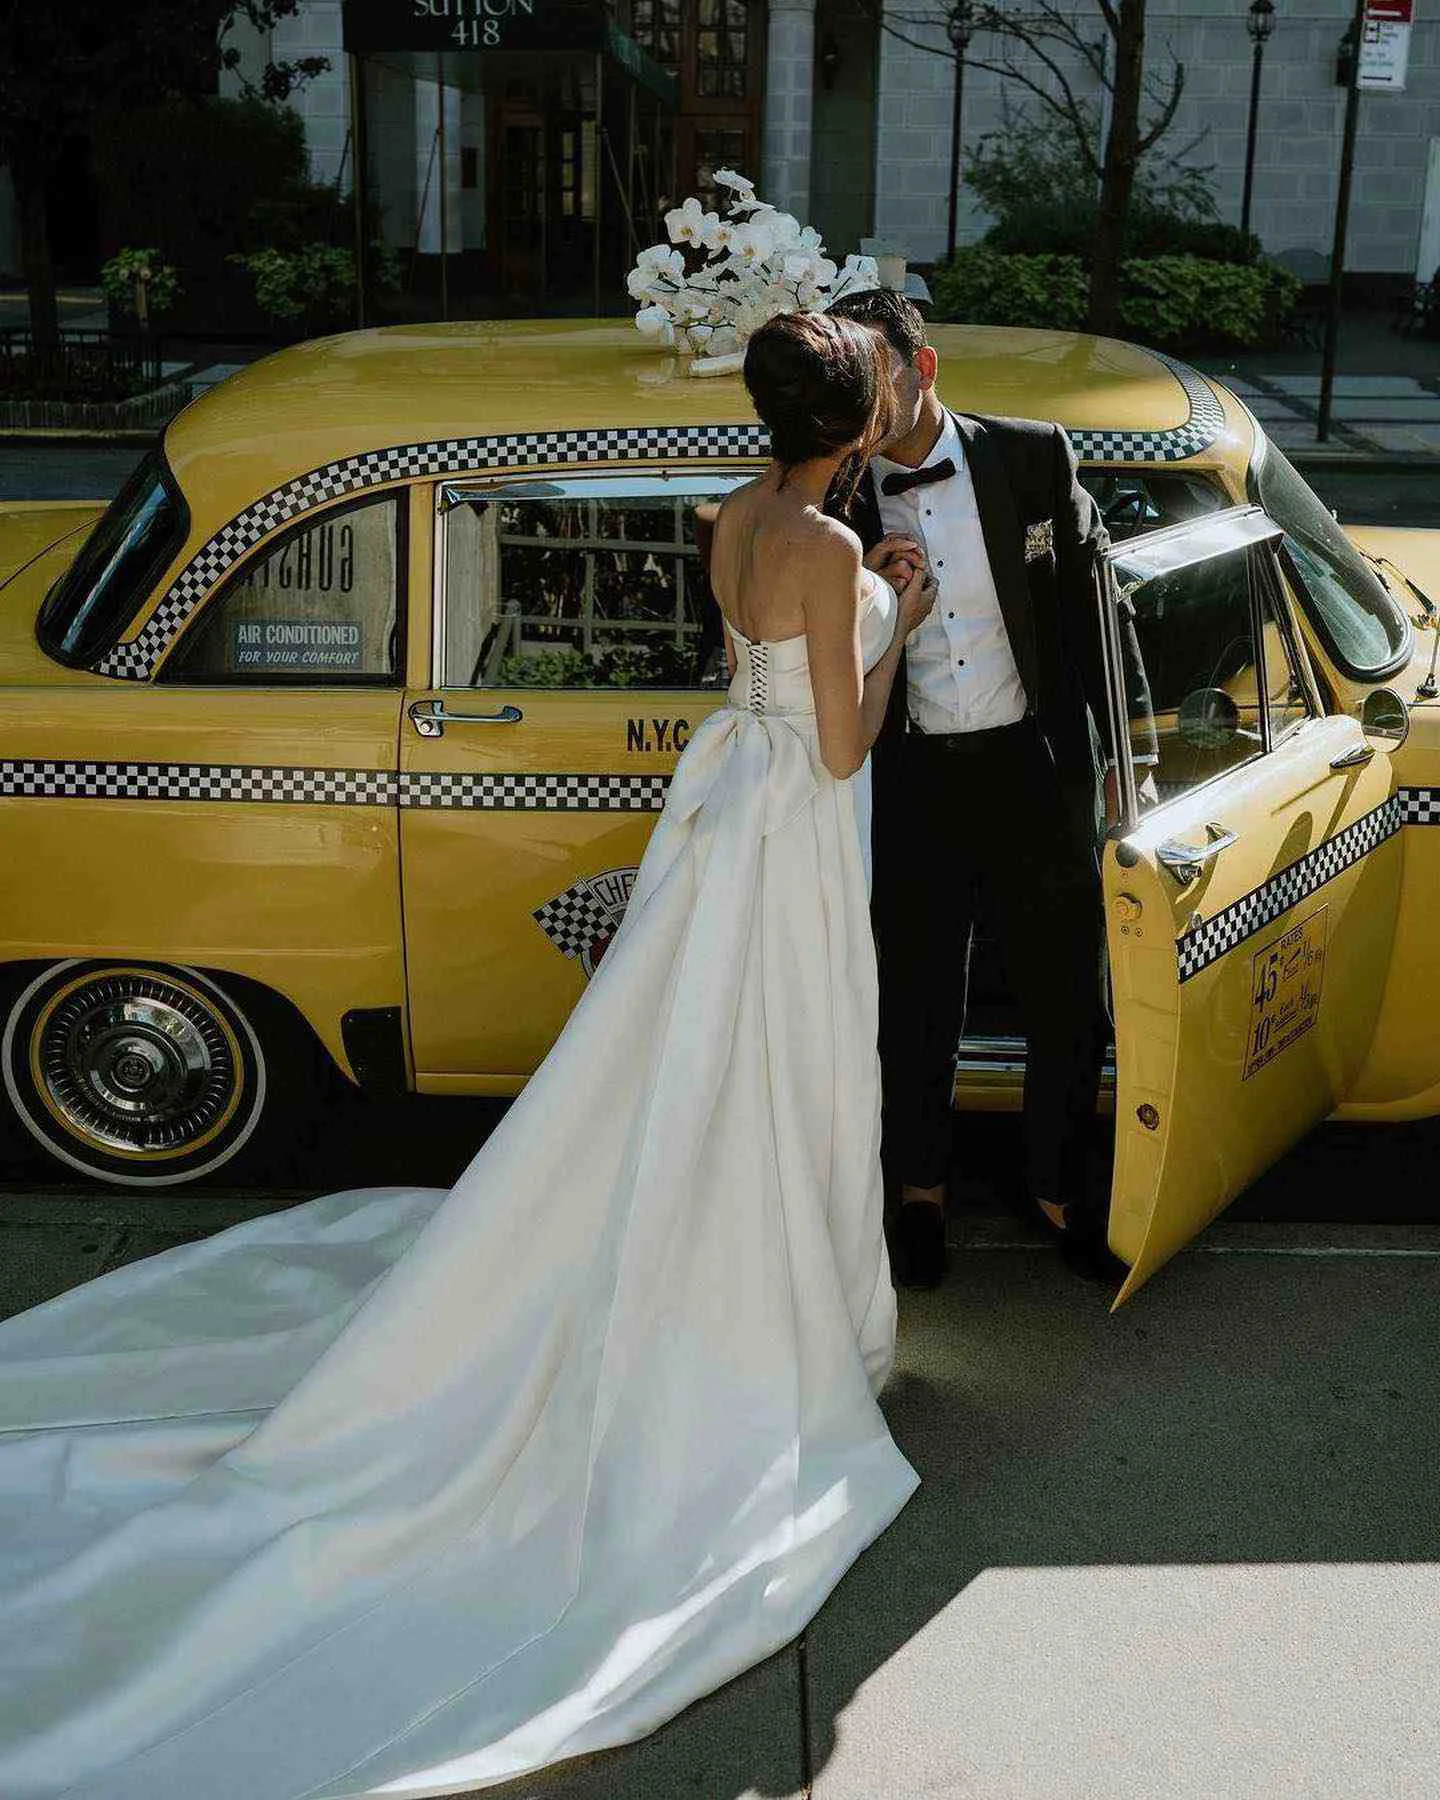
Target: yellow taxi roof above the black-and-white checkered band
<point x="339" y="397"/>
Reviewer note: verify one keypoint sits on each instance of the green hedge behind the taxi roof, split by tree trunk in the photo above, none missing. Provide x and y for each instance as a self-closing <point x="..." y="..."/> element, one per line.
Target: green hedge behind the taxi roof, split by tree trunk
<point x="1174" y="301"/>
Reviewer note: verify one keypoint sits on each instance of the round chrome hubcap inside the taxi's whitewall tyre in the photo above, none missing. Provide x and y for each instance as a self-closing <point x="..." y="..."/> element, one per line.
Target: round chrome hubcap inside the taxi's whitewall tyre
<point x="134" y="1063"/>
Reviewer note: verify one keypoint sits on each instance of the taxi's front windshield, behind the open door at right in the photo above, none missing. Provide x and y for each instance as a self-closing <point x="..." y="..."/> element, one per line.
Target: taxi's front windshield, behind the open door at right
<point x="1342" y="593"/>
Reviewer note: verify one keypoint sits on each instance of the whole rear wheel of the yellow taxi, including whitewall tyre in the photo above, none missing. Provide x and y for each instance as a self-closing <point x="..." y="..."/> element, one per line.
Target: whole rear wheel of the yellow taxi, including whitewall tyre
<point x="130" y="1074"/>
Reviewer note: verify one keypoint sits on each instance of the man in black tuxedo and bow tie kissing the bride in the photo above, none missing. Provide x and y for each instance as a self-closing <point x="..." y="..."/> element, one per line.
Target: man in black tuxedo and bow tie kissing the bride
<point x="991" y="787"/>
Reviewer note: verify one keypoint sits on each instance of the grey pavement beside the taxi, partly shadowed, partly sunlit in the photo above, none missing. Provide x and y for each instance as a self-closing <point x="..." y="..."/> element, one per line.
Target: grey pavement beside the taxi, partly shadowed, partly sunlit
<point x="1178" y="1552"/>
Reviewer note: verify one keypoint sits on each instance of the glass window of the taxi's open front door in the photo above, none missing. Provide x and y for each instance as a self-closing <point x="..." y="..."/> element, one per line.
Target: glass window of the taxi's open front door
<point x="1219" y="665"/>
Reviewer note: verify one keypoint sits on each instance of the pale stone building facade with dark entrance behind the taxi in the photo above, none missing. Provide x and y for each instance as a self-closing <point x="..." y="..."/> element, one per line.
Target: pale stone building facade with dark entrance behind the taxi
<point x="841" y="111"/>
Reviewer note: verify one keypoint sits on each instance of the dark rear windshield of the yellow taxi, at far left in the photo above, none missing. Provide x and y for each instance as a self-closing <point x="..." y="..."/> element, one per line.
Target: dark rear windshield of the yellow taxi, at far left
<point x="98" y="597"/>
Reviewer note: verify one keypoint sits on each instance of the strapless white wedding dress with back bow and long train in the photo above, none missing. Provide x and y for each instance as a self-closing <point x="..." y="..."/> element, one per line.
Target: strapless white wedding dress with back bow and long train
<point x="408" y="1493"/>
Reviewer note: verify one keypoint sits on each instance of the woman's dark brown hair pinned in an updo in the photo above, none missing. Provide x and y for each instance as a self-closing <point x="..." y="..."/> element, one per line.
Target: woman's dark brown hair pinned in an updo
<point x="822" y="384"/>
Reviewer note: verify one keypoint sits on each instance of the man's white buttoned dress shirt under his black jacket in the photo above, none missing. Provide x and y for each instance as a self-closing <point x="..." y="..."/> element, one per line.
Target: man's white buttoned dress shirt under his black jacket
<point x="962" y="672"/>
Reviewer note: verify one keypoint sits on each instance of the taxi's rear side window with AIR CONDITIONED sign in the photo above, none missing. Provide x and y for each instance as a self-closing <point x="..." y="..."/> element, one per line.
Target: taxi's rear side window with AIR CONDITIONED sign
<point x="318" y="606"/>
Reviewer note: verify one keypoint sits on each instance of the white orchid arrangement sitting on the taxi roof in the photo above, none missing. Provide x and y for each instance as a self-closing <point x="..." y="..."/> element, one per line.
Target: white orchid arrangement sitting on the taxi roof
<point x="721" y="278"/>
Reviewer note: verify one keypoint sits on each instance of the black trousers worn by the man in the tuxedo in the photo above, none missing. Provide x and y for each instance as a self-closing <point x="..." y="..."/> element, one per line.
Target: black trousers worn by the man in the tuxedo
<point x="976" y="829"/>
